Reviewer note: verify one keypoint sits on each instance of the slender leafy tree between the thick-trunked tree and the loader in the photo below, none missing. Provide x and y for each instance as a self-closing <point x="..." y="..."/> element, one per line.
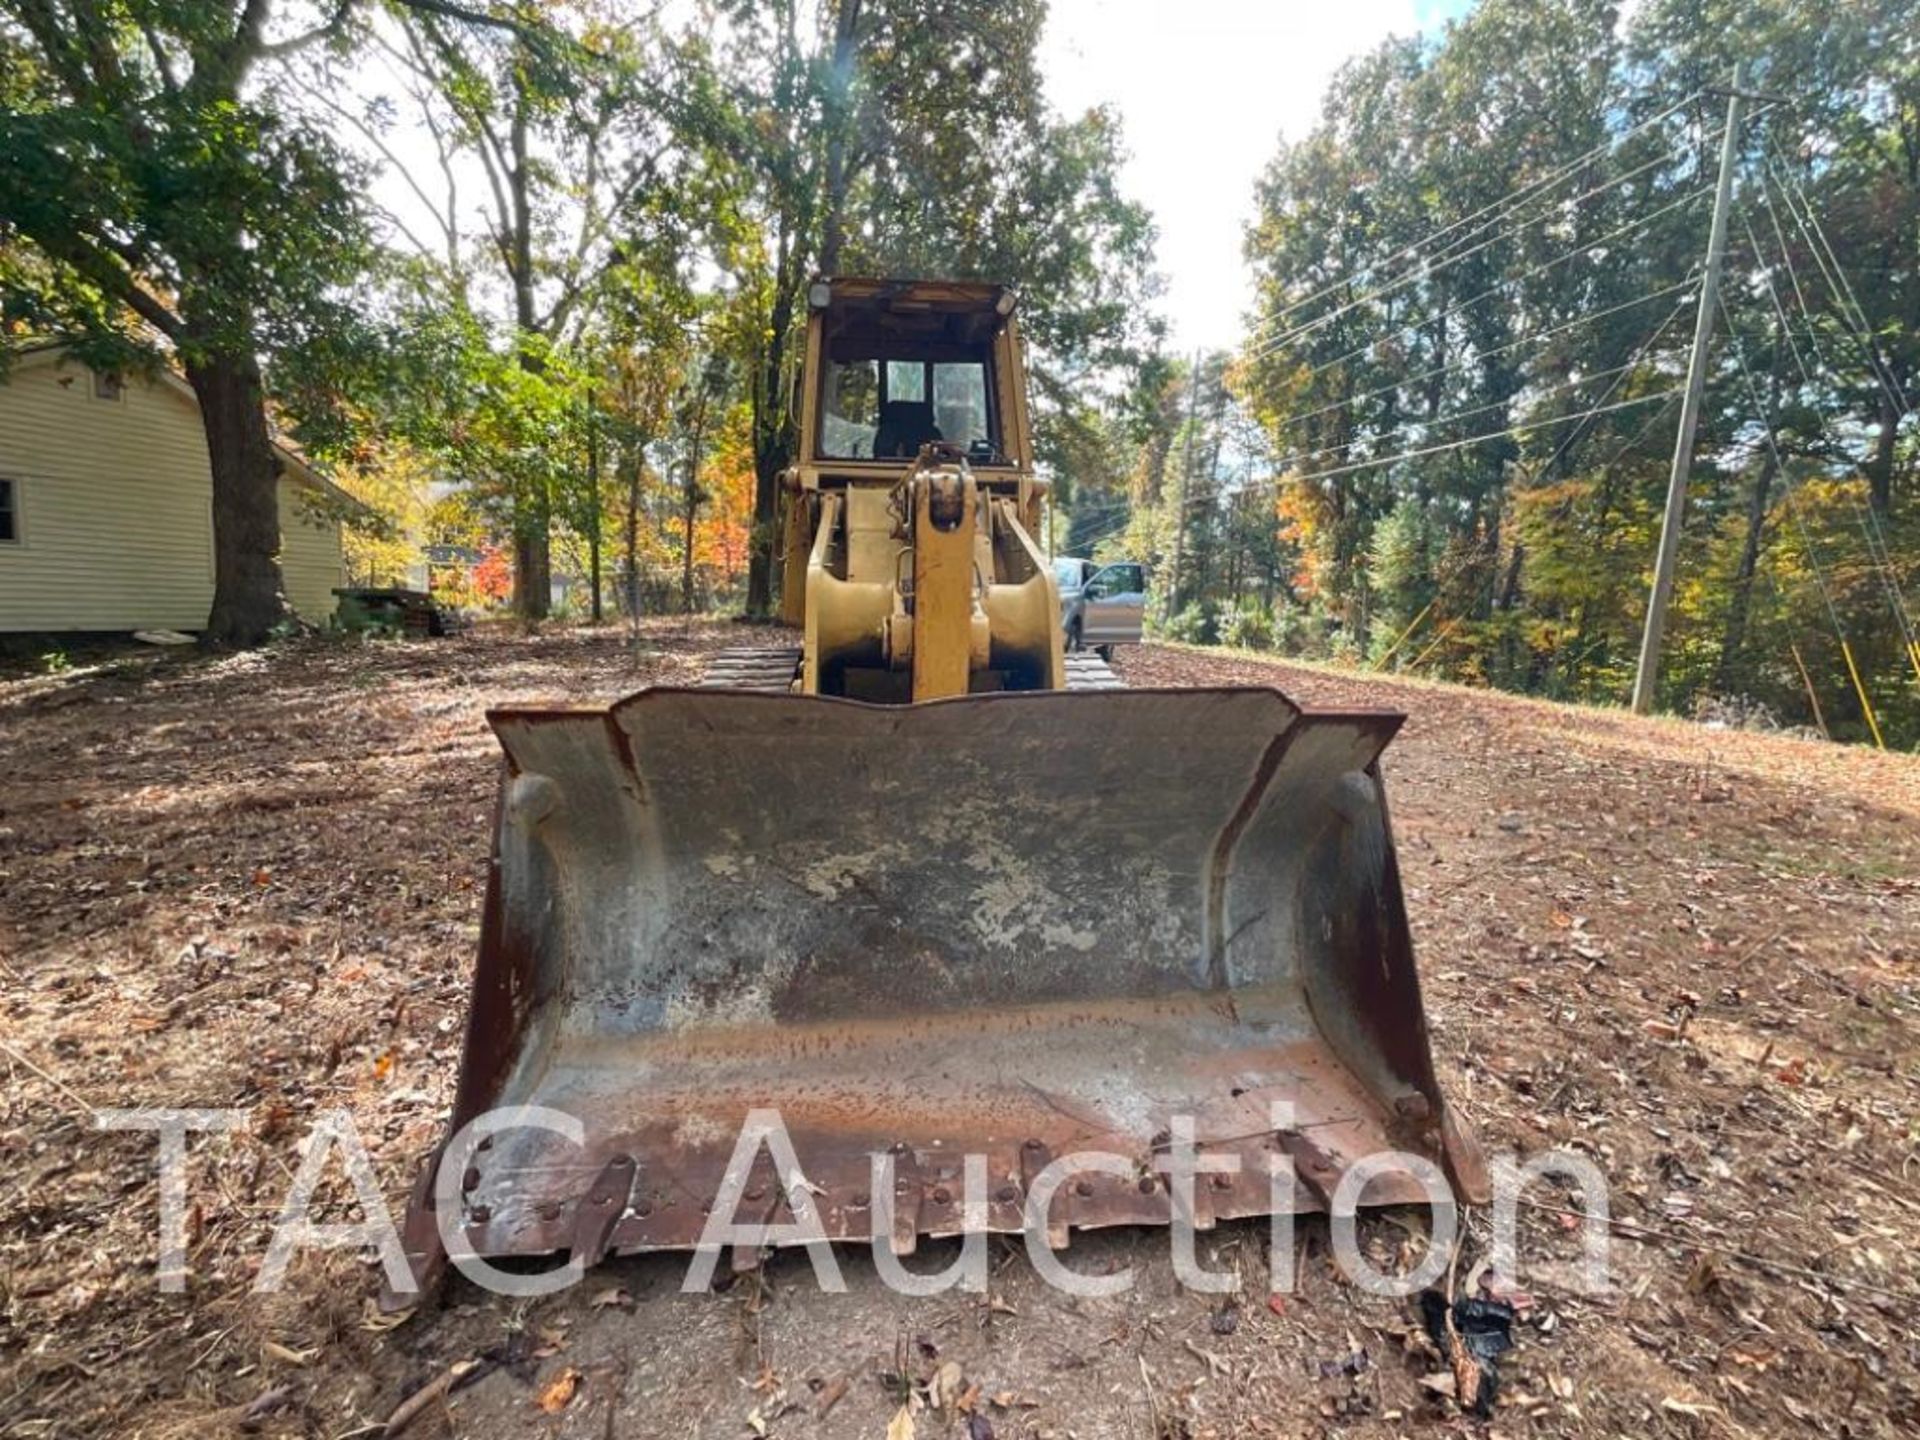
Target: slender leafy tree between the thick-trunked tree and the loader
<point x="565" y="120"/>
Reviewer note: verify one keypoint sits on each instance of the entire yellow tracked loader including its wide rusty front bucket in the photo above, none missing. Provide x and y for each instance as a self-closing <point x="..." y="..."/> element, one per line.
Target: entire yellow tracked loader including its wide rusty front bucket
<point x="932" y="888"/>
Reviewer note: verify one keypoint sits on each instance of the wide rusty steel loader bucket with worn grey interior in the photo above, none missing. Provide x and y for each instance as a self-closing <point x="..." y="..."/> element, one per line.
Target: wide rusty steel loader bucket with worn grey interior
<point x="1015" y="926"/>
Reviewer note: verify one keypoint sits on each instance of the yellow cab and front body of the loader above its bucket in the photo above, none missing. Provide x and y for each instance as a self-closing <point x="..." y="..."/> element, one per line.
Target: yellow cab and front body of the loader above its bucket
<point x="911" y="556"/>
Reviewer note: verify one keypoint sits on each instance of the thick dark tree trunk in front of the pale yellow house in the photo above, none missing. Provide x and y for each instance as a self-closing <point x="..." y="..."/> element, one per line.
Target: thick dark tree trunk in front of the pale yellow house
<point x="249" y="596"/>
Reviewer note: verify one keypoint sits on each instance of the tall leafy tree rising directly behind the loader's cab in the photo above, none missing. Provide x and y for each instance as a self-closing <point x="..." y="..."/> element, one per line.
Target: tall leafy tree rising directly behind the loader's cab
<point x="892" y="137"/>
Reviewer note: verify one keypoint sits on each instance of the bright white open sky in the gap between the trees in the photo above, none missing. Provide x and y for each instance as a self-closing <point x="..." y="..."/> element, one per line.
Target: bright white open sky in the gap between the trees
<point x="1205" y="91"/>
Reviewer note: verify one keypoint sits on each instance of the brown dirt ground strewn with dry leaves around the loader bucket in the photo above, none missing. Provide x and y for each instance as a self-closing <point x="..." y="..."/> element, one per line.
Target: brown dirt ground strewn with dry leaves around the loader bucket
<point x="254" y="884"/>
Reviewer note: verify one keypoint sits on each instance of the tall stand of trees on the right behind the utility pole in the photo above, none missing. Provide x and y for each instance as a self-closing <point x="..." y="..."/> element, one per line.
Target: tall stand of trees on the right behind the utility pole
<point x="1476" y="283"/>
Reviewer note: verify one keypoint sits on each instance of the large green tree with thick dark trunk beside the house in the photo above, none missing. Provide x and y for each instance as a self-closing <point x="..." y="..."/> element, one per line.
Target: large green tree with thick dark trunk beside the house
<point x="158" y="208"/>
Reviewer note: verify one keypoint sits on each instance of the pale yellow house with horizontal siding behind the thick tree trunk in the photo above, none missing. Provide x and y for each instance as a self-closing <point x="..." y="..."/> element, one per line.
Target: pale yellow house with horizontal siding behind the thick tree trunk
<point x="107" y="506"/>
